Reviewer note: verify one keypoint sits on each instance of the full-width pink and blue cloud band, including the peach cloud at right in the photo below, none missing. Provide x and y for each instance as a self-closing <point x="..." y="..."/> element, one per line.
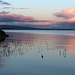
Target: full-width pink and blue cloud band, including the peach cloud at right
<point x="68" y="23"/>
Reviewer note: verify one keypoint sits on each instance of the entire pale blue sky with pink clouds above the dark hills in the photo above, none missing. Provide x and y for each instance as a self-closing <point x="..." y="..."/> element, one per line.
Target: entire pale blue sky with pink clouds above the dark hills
<point x="52" y="13"/>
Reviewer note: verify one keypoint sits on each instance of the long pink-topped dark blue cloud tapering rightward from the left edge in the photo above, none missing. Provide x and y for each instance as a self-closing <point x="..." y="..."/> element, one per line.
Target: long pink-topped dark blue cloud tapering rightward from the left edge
<point x="17" y="18"/>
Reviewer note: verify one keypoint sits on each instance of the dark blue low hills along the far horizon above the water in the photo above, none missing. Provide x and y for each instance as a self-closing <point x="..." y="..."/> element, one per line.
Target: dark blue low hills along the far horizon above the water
<point x="12" y="27"/>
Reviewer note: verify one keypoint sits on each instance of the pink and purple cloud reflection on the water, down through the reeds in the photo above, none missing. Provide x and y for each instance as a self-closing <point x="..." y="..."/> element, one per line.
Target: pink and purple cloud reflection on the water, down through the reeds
<point x="19" y="43"/>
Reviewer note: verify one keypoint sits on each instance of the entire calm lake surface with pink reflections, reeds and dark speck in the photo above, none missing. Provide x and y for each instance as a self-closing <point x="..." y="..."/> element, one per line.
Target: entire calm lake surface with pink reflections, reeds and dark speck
<point x="33" y="52"/>
